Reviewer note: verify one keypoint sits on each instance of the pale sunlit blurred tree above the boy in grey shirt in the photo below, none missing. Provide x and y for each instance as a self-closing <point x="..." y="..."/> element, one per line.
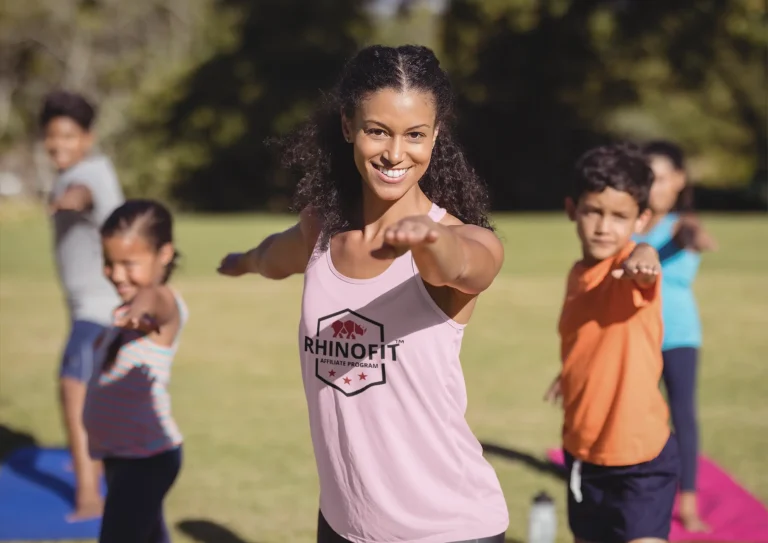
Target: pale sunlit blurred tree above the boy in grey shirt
<point x="108" y="49"/>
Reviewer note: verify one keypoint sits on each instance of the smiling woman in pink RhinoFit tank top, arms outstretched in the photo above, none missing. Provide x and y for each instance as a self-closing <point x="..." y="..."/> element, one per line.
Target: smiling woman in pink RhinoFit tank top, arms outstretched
<point x="395" y="245"/>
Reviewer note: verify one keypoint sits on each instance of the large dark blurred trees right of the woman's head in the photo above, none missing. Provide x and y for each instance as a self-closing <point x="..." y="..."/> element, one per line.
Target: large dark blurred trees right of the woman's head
<point x="542" y="80"/>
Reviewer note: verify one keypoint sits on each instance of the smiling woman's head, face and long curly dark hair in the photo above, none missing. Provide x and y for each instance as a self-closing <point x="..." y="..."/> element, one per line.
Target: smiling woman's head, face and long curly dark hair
<point x="391" y="104"/>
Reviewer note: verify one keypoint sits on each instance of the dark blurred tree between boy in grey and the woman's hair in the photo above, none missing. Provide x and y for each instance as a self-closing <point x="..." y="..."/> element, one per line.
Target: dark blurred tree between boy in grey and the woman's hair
<point x="207" y="136"/>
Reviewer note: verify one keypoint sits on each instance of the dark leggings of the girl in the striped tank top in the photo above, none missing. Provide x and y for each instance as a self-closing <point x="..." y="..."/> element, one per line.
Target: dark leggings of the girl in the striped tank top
<point x="136" y="487"/>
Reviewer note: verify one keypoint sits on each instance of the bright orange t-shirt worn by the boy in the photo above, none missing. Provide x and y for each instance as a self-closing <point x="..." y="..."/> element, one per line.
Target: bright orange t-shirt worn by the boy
<point x="611" y="332"/>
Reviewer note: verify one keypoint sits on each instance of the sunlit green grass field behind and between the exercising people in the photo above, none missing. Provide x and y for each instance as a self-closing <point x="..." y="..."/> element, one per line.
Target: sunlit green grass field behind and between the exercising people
<point x="237" y="391"/>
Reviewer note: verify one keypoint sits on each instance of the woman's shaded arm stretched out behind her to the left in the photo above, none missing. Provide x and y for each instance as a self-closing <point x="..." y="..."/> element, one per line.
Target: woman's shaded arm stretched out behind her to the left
<point x="279" y="255"/>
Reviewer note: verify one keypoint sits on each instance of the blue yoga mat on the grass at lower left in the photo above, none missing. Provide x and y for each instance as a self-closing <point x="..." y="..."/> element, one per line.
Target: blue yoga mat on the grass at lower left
<point x="37" y="493"/>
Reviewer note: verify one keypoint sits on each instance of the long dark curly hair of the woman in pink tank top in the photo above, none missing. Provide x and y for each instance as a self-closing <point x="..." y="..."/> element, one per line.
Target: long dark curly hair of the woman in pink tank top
<point x="329" y="181"/>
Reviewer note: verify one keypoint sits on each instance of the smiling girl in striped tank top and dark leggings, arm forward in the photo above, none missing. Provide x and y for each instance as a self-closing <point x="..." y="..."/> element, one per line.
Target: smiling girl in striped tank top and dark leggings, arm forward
<point x="128" y="409"/>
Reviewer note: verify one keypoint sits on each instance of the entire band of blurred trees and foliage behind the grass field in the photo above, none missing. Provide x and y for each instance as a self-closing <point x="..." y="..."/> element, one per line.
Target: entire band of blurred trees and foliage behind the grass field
<point x="190" y="89"/>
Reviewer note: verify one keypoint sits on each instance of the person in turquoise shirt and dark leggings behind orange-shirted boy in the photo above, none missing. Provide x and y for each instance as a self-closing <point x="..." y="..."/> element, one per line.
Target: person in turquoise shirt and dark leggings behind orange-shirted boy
<point x="680" y="240"/>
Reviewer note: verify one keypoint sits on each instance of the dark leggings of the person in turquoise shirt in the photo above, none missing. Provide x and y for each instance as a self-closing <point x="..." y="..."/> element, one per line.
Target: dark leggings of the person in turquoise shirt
<point x="680" y="381"/>
